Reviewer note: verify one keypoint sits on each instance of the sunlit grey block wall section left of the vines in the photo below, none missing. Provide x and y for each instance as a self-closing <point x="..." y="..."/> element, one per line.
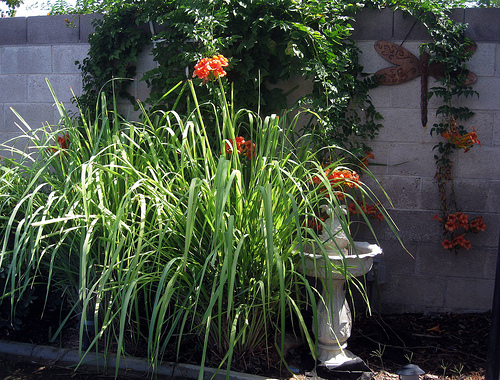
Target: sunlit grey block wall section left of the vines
<point x="31" y="50"/>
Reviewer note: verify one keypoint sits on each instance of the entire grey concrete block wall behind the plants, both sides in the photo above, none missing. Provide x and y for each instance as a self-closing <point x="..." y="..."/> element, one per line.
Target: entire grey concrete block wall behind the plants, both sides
<point x="431" y="279"/>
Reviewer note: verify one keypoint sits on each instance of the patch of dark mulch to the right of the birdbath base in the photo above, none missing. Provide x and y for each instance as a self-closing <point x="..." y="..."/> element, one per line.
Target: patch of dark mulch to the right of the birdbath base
<point x="439" y="344"/>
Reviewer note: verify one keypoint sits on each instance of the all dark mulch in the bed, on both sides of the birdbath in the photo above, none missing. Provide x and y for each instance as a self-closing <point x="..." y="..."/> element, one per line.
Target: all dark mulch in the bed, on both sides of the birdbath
<point x="444" y="345"/>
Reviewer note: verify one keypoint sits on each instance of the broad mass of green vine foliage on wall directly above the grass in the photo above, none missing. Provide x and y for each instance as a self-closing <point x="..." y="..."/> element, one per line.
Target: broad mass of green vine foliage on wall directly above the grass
<point x="267" y="42"/>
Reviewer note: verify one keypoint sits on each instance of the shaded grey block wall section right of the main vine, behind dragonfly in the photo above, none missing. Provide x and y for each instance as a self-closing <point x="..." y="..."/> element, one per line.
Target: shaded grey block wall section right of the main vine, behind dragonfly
<point x="435" y="280"/>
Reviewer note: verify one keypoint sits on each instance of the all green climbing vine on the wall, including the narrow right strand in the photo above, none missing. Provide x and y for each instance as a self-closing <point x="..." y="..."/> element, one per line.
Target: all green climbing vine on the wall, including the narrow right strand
<point x="269" y="41"/>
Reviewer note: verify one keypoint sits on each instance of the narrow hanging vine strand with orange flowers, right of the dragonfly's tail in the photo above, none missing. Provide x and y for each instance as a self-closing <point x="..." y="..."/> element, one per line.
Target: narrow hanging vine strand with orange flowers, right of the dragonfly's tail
<point x="451" y="48"/>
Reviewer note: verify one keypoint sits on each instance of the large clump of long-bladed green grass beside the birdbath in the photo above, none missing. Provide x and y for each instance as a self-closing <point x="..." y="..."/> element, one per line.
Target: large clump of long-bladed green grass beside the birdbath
<point x="165" y="238"/>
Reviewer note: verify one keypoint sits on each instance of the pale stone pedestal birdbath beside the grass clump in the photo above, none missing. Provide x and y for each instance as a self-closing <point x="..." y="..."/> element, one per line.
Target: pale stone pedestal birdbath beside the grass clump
<point x="334" y="315"/>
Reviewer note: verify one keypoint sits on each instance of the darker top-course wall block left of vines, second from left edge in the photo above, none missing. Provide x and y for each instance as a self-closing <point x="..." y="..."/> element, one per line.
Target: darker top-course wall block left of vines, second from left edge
<point x="53" y="29"/>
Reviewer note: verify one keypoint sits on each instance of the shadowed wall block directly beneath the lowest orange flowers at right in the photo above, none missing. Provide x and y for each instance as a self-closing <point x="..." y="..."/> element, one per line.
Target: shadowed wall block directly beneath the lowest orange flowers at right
<point x="435" y="261"/>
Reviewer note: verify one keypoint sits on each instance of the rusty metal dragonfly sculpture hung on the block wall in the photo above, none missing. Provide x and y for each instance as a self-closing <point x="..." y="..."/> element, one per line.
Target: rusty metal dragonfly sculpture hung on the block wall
<point x="408" y="66"/>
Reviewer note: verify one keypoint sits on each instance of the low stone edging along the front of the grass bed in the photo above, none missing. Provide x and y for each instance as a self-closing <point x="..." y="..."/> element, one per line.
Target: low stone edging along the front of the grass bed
<point x="129" y="366"/>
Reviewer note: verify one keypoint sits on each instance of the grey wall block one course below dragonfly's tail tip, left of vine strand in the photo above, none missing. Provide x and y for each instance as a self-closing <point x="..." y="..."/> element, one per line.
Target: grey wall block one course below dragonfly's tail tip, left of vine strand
<point x="411" y="159"/>
